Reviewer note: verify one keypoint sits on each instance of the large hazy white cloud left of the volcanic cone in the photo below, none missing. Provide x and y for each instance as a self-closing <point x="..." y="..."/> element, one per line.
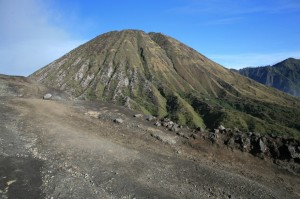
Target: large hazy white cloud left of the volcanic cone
<point x="28" y="38"/>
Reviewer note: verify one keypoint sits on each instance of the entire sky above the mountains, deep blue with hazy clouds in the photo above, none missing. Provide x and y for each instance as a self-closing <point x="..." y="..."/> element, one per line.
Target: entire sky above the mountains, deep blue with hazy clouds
<point x="233" y="33"/>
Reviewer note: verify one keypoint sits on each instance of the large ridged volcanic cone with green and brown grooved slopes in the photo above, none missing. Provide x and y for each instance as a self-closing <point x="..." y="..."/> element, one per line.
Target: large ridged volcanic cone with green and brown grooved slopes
<point x="159" y="75"/>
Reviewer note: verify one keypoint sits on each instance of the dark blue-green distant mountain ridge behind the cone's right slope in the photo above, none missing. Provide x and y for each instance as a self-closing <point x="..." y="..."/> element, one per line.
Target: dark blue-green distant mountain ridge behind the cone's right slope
<point x="284" y="76"/>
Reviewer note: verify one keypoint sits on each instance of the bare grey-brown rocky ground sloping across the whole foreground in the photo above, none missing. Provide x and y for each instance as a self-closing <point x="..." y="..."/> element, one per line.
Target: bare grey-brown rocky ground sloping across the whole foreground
<point x="65" y="148"/>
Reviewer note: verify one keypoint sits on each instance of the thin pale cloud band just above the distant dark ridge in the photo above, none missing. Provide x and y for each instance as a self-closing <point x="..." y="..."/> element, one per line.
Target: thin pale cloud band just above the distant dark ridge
<point x="238" y="61"/>
